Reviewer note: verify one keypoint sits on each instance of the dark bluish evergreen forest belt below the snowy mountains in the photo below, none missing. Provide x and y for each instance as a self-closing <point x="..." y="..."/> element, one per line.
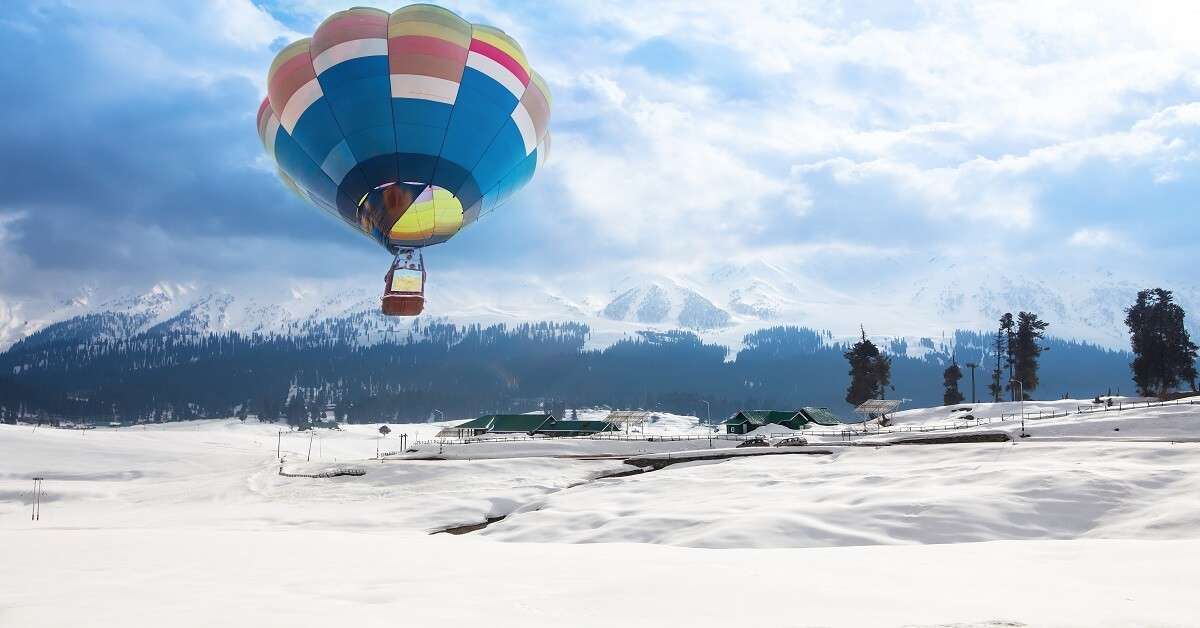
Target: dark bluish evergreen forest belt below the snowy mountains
<point x="83" y="370"/>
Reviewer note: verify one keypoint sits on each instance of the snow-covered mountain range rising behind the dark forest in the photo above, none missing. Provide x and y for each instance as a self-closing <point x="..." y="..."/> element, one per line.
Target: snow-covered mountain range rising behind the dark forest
<point x="721" y="304"/>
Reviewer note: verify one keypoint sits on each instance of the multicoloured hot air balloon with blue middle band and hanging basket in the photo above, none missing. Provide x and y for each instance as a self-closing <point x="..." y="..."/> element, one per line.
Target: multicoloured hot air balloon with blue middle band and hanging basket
<point x="407" y="127"/>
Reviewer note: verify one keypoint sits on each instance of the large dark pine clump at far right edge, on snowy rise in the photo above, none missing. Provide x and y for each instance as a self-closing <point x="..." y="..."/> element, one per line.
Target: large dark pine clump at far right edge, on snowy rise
<point x="1165" y="355"/>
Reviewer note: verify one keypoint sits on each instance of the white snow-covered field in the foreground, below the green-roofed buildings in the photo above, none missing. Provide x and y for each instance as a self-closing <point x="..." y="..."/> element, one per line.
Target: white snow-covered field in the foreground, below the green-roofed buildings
<point x="193" y="525"/>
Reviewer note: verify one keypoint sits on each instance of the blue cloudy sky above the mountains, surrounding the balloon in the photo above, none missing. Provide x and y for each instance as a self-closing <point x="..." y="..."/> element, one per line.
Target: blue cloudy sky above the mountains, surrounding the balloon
<point x="1037" y="135"/>
